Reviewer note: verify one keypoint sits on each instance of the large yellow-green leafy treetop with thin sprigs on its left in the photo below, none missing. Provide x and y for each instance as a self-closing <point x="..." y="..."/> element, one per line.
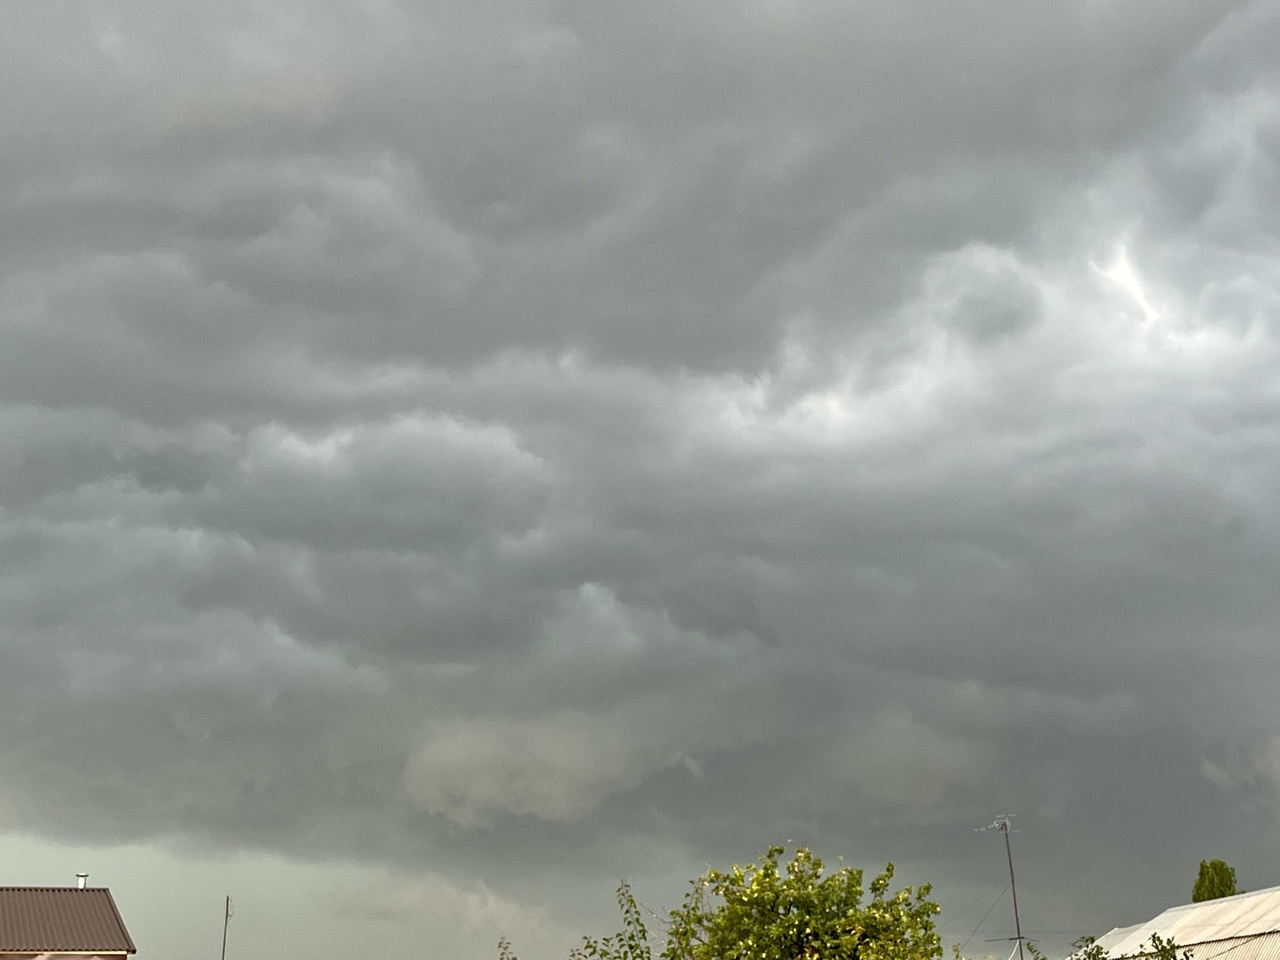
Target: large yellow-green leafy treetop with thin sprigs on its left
<point x="780" y="912"/>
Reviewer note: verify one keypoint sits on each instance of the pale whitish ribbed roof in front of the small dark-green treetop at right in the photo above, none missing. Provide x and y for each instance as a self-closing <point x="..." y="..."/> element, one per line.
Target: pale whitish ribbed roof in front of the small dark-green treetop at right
<point x="1245" y="927"/>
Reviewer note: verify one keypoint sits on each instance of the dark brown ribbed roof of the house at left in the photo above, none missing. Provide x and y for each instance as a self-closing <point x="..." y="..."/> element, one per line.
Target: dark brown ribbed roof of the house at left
<point x="61" y="921"/>
